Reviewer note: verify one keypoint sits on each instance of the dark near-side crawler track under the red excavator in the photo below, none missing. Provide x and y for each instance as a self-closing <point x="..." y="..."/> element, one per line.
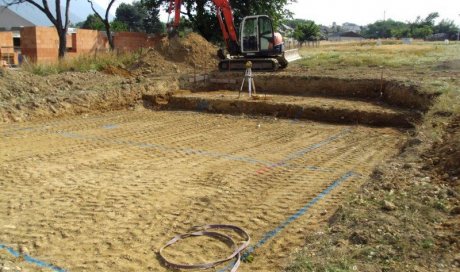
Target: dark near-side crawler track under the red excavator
<point x="258" y="64"/>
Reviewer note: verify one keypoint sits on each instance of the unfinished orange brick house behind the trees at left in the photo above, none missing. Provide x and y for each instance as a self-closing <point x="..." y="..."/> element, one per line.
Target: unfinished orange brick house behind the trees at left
<point x="21" y="41"/>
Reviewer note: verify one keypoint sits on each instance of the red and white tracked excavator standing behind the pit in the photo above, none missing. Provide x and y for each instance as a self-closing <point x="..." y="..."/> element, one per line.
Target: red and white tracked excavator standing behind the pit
<point x="257" y="43"/>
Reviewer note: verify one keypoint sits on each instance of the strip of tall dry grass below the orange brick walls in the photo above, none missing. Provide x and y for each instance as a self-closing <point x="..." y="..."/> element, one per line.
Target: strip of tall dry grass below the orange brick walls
<point x="83" y="63"/>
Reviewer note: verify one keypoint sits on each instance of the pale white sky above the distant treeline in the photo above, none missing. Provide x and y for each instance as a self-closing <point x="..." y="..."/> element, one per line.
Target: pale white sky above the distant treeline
<point x="361" y="12"/>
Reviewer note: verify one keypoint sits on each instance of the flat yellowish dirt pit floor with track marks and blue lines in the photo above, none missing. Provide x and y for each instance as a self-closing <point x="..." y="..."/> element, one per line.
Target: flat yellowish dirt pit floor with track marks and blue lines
<point x="106" y="191"/>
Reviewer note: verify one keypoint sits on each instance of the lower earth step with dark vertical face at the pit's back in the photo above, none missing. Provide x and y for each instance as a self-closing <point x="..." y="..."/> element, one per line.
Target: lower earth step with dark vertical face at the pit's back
<point x="292" y="107"/>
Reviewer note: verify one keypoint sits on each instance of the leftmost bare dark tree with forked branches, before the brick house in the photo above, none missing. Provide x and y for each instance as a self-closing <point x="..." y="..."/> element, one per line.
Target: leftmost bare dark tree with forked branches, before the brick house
<point x="59" y="18"/>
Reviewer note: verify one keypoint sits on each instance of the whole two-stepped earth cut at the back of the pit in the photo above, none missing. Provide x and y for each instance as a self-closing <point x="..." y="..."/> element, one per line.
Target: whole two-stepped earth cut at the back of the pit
<point x="374" y="102"/>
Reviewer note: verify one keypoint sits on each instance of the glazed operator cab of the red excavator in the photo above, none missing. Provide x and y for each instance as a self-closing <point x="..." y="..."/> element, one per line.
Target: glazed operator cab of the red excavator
<point x="257" y="37"/>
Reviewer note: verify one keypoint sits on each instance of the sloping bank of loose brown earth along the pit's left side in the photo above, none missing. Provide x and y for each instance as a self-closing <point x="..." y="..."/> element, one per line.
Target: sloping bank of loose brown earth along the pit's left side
<point x="25" y="96"/>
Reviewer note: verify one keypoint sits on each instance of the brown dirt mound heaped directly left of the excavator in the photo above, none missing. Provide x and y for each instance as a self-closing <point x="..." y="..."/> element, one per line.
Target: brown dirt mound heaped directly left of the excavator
<point x="186" y="54"/>
